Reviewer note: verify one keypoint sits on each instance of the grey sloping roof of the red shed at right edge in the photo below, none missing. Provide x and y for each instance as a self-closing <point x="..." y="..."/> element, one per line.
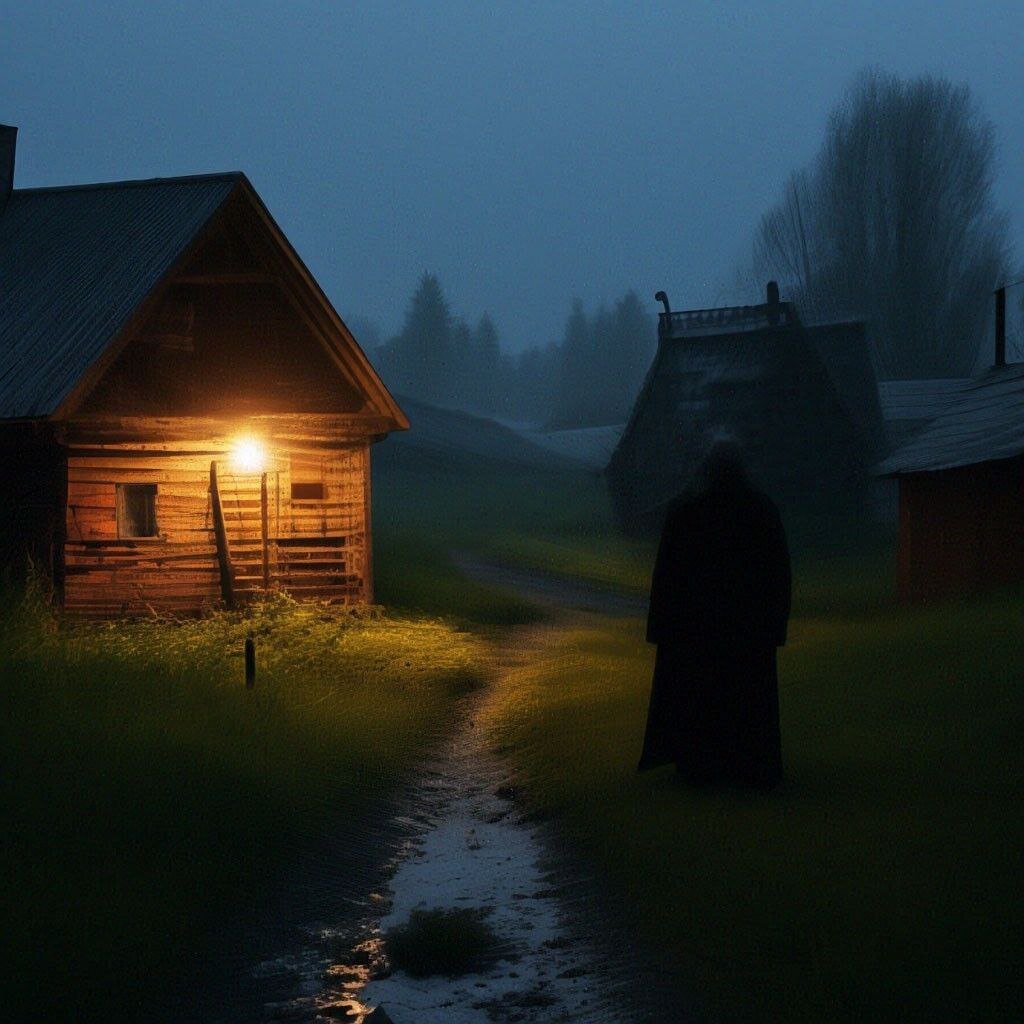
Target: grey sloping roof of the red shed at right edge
<point x="985" y="424"/>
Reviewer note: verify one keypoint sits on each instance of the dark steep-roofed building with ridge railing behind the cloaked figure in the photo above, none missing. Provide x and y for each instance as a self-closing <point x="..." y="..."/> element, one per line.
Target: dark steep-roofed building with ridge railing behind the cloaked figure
<point x="801" y="399"/>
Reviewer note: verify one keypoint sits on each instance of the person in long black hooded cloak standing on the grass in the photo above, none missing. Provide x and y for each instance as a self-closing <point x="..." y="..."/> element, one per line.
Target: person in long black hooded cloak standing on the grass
<point x="719" y="609"/>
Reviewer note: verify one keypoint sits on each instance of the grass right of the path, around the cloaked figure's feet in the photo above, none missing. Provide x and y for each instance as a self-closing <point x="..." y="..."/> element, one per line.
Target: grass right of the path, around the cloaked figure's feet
<point x="882" y="883"/>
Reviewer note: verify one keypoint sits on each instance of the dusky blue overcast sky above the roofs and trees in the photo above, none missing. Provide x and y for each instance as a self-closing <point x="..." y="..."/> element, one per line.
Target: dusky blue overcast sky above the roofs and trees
<point x="527" y="154"/>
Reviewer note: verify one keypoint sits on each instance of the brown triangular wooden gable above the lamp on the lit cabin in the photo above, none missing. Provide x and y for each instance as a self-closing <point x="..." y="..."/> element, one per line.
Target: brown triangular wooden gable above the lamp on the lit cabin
<point x="224" y="338"/>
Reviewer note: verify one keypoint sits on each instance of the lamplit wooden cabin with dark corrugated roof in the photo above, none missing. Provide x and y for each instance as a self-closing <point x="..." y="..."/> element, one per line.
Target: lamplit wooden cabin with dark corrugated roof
<point x="185" y="418"/>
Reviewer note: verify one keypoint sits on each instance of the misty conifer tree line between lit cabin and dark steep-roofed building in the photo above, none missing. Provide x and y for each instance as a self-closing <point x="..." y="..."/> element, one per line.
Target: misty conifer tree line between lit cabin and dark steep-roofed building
<point x="589" y="377"/>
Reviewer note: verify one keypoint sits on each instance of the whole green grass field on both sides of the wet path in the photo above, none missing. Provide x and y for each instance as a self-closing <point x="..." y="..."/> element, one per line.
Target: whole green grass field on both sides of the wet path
<point x="148" y="794"/>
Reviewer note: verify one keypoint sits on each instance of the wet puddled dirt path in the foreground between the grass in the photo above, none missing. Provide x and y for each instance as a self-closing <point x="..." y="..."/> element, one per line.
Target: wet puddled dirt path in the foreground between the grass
<point x="475" y="849"/>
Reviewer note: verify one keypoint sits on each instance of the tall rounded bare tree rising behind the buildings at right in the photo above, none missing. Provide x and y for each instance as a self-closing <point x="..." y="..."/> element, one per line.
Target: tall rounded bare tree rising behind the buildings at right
<point x="894" y="222"/>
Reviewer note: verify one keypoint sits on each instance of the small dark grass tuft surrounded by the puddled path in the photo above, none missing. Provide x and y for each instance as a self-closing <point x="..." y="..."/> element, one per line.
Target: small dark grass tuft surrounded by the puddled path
<point x="444" y="942"/>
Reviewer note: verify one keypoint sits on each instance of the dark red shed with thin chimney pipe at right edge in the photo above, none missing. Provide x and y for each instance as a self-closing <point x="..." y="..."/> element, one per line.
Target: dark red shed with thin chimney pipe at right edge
<point x="962" y="490"/>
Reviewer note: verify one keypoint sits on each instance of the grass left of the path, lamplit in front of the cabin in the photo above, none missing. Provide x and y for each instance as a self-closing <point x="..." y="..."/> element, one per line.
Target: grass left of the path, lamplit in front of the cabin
<point x="146" y="794"/>
